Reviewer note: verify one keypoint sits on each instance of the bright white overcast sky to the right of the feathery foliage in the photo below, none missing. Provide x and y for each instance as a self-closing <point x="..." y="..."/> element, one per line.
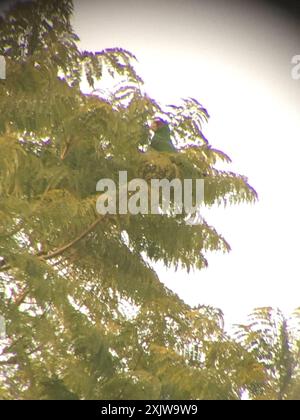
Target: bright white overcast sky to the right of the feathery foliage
<point x="236" y="60"/>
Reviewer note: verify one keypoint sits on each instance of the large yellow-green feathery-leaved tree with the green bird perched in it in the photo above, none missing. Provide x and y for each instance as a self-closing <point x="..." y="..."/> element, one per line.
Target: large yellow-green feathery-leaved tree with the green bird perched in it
<point x="86" y="315"/>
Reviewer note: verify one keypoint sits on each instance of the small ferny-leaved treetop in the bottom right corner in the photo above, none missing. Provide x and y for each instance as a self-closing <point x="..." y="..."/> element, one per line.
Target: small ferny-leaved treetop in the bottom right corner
<point x="274" y="342"/>
